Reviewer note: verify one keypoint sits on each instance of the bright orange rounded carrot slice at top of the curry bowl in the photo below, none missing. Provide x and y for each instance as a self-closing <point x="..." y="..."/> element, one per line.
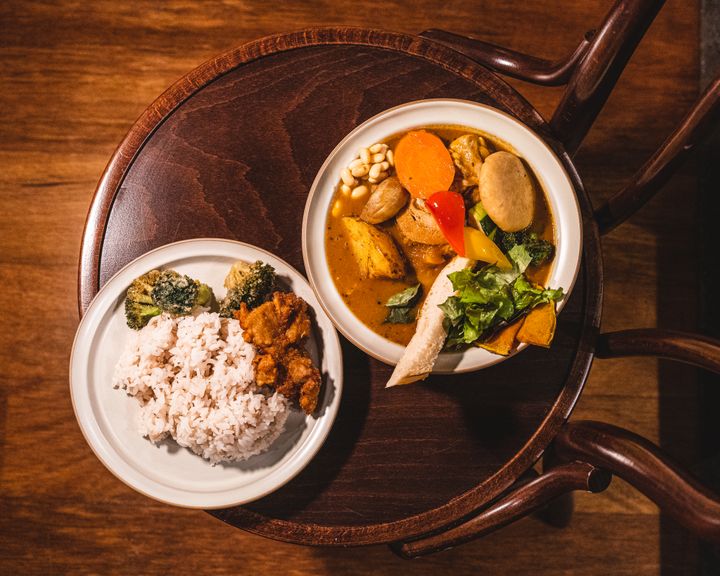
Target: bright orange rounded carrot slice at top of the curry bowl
<point x="423" y="164"/>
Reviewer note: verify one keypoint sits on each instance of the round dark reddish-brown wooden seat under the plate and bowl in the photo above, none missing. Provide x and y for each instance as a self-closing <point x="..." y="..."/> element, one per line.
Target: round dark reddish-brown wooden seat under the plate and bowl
<point x="231" y="151"/>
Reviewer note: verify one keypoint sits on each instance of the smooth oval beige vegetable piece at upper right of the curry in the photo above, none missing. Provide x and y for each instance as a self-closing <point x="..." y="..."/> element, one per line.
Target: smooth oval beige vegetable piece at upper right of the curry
<point x="506" y="192"/>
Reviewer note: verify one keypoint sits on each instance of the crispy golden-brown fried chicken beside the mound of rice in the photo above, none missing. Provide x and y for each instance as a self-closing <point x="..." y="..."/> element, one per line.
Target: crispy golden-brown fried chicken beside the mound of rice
<point x="278" y="328"/>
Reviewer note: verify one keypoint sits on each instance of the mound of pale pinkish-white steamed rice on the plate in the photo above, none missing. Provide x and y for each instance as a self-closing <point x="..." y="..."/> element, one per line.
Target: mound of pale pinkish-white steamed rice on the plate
<point x="194" y="380"/>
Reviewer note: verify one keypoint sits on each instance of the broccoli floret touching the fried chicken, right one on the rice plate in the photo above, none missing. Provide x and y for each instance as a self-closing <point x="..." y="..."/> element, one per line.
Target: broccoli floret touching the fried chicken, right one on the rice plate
<point x="250" y="284"/>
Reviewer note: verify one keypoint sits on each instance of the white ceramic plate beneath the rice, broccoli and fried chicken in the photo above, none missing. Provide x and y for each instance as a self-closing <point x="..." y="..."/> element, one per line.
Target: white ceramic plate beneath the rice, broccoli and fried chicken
<point x="166" y="471"/>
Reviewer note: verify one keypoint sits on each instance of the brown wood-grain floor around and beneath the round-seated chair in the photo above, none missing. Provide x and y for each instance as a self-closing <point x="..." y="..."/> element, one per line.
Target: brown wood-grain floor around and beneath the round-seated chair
<point x="75" y="76"/>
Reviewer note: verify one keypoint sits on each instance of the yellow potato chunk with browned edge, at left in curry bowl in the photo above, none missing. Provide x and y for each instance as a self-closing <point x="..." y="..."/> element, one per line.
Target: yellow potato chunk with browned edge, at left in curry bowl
<point x="374" y="250"/>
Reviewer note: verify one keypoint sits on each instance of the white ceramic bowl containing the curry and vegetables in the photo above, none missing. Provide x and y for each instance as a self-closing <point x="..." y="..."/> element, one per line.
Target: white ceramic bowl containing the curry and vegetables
<point x="547" y="168"/>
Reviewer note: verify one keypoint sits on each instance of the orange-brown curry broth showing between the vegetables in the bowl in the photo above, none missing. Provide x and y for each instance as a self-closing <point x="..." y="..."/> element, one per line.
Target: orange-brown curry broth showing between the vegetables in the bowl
<point x="366" y="297"/>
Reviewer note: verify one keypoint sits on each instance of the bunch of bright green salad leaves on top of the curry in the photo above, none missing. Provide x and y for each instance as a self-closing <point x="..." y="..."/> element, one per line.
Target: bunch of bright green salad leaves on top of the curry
<point x="489" y="296"/>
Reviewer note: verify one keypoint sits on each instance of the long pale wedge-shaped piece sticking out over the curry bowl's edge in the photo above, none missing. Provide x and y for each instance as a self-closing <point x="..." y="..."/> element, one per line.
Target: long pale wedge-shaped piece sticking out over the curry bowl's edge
<point x="421" y="352"/>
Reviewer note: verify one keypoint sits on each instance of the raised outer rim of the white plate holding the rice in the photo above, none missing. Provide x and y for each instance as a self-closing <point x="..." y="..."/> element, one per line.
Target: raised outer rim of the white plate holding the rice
<point x="93" y="433"/>
